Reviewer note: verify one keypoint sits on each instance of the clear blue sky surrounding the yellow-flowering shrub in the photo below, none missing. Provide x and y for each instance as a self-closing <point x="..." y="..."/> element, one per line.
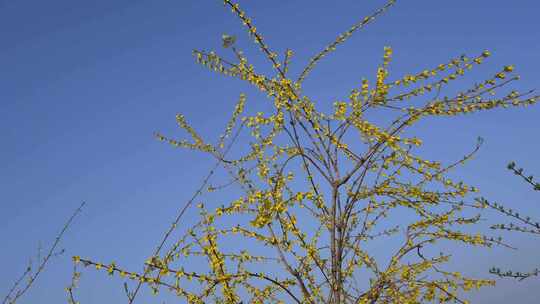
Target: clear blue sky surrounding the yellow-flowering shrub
<point x="84" y="84"/>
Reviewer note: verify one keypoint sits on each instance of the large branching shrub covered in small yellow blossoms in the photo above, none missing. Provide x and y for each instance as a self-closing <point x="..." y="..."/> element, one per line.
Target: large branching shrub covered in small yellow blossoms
<point x="318" y="187"/>
